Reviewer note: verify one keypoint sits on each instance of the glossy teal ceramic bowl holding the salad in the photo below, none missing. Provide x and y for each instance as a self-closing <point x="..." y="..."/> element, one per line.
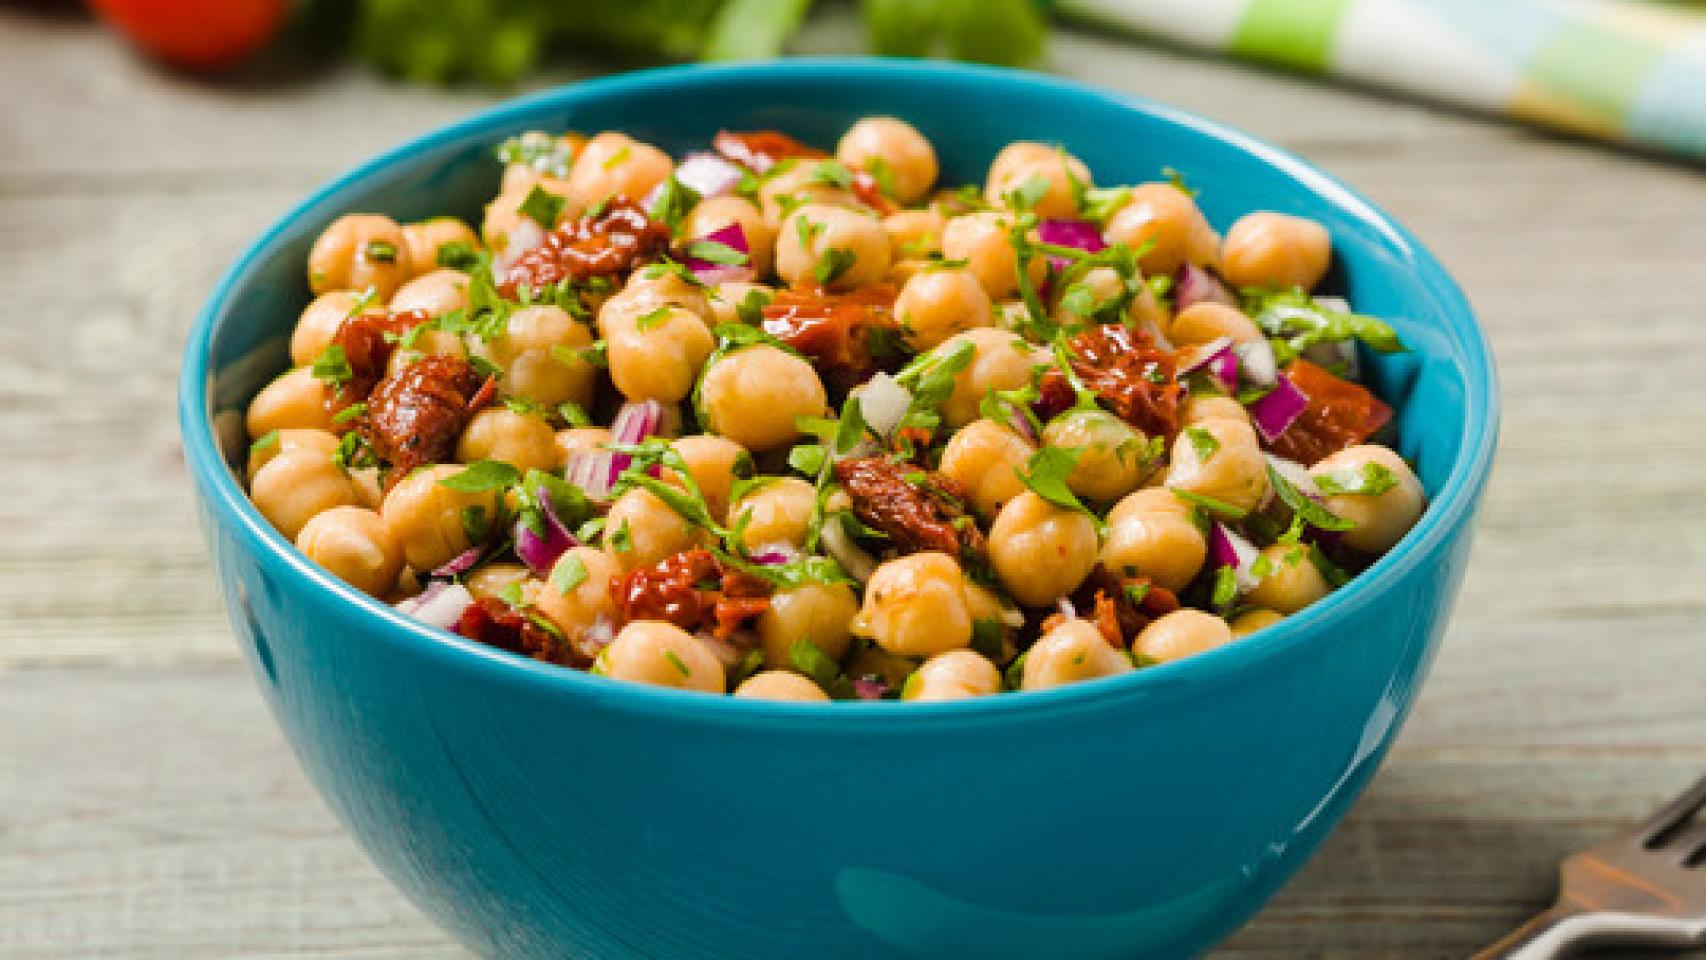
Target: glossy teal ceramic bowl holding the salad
<point x="542" y="813"/>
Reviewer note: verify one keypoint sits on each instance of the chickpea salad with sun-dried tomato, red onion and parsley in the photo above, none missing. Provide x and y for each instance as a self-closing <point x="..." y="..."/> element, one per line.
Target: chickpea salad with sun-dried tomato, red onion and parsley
<point x="801" y="425"/>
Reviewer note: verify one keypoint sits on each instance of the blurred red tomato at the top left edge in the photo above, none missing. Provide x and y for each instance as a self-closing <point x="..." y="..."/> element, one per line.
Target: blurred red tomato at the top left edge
<point x="199" y="35"/>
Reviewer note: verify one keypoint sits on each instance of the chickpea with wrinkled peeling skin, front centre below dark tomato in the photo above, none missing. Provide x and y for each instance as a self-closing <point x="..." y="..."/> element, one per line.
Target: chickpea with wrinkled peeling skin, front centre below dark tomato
<point x="915" y="606"/>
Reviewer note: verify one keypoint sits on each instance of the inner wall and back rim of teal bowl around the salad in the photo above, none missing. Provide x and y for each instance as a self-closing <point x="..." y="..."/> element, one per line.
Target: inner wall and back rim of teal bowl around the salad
<point x="1442" y="388"/>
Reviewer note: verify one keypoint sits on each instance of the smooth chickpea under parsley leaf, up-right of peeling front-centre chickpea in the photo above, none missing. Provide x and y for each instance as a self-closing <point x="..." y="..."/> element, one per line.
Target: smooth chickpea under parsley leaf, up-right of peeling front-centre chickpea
<point x="1042" y="552"/>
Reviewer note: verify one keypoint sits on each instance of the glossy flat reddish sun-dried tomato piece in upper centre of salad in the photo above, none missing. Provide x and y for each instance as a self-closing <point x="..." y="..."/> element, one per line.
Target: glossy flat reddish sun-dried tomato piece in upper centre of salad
<point x="833" y="330"/>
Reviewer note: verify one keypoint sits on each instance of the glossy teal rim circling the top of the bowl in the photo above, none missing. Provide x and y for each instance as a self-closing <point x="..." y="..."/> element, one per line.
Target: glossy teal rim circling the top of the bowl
<point x="1449" y="511"/>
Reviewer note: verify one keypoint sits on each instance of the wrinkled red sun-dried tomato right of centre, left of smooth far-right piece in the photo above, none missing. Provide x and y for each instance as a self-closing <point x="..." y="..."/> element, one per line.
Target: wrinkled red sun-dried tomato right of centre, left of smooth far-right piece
<point x="1134" y="378"/>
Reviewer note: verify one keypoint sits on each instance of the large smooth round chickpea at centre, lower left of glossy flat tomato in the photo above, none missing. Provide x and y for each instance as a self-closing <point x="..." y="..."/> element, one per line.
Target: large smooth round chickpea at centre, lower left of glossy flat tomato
<point x="753" y="396"/>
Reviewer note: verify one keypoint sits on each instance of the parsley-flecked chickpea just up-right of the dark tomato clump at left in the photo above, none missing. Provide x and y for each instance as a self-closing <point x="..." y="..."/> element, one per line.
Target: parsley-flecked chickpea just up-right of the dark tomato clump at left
<point x="542" y="357"/>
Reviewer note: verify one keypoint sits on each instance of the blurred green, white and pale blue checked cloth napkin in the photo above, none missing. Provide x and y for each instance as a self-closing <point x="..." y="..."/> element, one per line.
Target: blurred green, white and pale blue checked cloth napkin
<point x="1616" y="69"/>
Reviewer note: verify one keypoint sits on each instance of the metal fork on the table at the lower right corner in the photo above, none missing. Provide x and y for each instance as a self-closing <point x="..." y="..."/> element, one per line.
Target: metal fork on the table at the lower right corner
<point x="1644" y="888"/>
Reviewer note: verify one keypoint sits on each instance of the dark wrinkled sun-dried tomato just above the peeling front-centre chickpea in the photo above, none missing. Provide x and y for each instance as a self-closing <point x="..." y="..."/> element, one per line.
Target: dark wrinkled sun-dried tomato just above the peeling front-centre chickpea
<point x="919" y="511"/>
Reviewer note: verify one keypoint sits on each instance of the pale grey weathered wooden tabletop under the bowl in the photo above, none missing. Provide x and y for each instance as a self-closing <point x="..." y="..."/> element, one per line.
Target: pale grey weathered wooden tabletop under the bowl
<point x="149" y="807"/>
